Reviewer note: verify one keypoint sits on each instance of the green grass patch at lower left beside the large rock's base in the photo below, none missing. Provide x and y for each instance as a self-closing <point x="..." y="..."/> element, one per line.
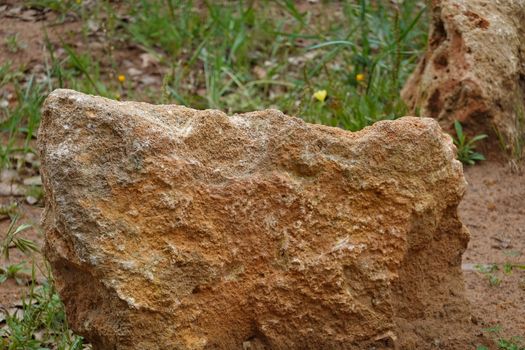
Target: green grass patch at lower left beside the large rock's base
<point x="39" y="321"/>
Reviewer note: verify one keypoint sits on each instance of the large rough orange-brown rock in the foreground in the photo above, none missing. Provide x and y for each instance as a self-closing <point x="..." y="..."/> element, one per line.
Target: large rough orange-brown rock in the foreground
<point x="173" y="228"/>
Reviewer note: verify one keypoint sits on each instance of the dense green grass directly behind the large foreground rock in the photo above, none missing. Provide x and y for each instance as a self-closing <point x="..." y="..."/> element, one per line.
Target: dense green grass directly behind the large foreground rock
<point x="246" y="57"/>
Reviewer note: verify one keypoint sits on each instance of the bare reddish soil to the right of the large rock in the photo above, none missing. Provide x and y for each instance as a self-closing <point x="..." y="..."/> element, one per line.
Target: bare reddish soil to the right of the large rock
<point x="494" y="211"/>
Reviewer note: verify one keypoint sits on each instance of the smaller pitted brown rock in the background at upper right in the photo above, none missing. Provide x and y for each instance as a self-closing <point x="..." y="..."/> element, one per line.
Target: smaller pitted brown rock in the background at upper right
<point x="474" y="68"/>
